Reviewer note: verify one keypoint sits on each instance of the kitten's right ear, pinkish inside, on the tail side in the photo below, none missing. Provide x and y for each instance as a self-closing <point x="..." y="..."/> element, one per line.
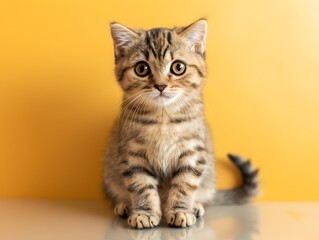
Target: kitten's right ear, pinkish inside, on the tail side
<point x="196" y="35"/>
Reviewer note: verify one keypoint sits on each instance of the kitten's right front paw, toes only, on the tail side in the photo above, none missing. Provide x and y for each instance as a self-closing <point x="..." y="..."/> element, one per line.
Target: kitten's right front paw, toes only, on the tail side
<point x="180" y="219"/>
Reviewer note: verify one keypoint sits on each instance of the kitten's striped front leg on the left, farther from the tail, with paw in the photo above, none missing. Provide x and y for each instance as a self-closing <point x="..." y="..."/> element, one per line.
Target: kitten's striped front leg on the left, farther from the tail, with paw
<point x="145" y="209"/>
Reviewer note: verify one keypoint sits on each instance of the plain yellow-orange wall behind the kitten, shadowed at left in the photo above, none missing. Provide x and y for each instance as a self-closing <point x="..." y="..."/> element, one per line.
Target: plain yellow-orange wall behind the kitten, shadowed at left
<point x="59" y="96"/>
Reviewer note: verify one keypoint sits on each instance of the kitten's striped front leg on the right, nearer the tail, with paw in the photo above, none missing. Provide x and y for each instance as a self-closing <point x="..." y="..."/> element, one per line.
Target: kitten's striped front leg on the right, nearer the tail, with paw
<point x="181" y="197"/>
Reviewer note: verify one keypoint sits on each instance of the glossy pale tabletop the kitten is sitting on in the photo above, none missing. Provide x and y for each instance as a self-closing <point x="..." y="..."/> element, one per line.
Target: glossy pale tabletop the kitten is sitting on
<point x="92" y="220"/>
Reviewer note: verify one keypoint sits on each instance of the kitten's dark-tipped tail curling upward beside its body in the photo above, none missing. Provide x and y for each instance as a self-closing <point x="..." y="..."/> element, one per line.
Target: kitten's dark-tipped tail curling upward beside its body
<point x="248" y="188"/>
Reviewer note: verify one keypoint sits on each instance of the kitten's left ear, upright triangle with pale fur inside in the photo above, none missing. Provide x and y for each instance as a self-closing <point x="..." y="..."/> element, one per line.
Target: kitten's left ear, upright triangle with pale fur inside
<point x="122" y="37"/>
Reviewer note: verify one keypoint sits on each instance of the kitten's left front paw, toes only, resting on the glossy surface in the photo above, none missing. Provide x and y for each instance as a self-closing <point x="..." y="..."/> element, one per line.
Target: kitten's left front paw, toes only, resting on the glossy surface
<point x="143" y="220"/>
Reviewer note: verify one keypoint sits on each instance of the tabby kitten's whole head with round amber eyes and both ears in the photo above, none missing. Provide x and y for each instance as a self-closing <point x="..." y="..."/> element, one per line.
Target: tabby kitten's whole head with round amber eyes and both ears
<point x="160" y="66"/>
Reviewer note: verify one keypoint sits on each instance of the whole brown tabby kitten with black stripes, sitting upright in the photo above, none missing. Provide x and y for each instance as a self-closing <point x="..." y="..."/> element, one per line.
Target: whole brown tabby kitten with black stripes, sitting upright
<point x="160" y="158"/>
